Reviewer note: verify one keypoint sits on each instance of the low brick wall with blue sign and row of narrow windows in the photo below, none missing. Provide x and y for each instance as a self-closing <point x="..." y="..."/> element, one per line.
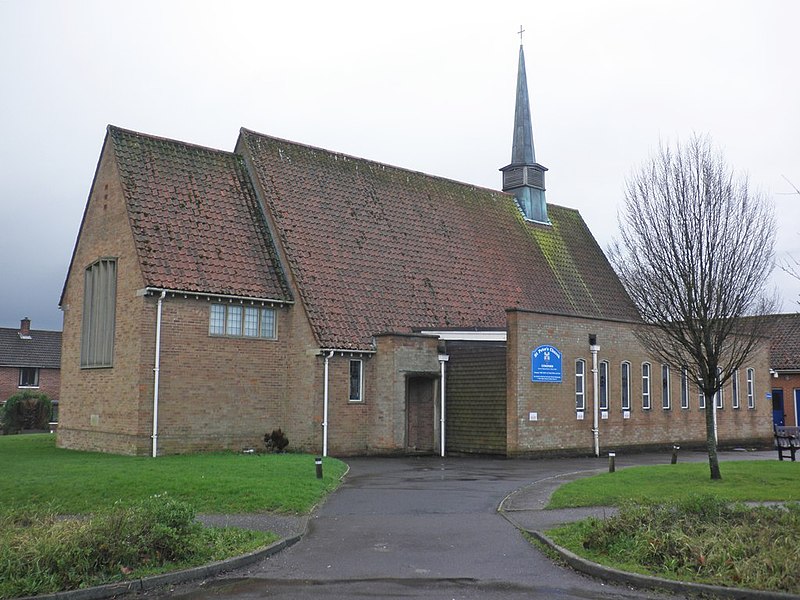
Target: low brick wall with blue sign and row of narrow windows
<point x="558" y="429"/>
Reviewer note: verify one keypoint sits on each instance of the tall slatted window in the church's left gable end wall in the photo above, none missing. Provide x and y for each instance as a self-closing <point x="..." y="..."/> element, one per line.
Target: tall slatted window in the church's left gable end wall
<point x="99" y="308"/>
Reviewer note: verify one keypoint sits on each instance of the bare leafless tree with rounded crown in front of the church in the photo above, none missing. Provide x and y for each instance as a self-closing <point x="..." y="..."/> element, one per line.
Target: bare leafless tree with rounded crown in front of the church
<point x="695" y="251"/>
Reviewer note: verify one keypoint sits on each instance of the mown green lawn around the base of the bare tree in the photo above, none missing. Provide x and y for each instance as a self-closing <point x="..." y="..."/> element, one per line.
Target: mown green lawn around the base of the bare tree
<point x="758" y="481"/>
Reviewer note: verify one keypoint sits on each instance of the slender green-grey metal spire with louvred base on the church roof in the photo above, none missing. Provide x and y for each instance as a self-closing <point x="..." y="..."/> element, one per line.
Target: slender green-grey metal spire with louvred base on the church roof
<point x="524" y="176"/>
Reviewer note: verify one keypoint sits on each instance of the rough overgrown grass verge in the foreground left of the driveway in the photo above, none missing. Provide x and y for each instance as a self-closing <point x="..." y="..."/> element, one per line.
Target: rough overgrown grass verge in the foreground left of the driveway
<point x="41" y="552"/>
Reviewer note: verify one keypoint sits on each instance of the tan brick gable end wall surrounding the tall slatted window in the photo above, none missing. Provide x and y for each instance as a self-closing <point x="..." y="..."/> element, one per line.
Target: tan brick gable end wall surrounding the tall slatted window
<point x="100" y="408"/>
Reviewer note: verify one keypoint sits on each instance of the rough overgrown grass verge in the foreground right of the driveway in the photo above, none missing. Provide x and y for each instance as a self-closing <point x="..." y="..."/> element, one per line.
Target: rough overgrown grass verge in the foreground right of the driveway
<point x="701" y="539"/>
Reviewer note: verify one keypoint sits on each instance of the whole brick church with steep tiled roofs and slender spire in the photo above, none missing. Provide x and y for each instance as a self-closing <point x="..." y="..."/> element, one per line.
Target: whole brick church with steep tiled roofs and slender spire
<point x="214" y="296"/>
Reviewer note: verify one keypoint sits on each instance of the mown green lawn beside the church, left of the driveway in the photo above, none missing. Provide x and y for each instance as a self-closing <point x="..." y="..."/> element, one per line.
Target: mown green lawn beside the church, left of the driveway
<point x="34" y="474"/>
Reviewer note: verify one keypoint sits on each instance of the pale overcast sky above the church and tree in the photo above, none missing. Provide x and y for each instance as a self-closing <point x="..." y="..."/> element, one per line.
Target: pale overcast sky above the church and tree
<point x="427" y="86"/>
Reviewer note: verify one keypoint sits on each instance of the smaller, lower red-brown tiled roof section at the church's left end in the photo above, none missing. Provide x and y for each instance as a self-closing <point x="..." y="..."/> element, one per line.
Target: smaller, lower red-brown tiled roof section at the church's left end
<point x="195" y="218"/>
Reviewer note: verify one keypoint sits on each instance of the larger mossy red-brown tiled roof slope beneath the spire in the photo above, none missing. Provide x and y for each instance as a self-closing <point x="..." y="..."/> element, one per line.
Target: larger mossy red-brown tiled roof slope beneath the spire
<point x="378" y="249"/>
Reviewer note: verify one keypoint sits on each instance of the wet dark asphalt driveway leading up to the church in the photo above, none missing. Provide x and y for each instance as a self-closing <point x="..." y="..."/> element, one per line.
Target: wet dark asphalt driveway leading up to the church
<point x="427" y="528"/>
